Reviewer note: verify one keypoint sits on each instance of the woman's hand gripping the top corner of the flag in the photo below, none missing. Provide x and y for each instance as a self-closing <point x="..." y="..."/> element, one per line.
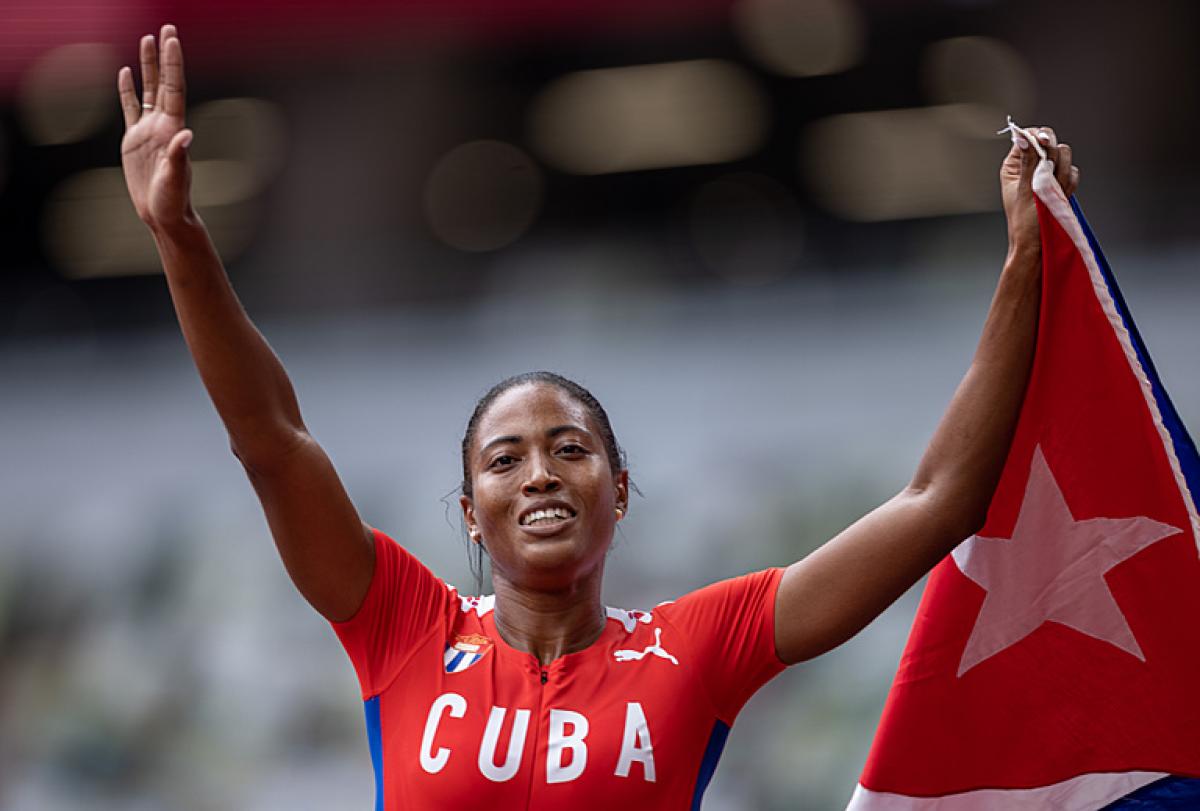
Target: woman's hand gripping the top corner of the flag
<point x="1017" y="185"/>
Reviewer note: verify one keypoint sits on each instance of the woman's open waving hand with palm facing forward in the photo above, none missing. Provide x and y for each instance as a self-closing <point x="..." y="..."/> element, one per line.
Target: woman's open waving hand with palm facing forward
<point x="154" y="151"/>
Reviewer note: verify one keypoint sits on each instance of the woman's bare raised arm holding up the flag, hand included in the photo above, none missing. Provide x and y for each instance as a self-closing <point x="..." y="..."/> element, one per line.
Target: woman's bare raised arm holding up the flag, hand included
<point x="830" y="596"/>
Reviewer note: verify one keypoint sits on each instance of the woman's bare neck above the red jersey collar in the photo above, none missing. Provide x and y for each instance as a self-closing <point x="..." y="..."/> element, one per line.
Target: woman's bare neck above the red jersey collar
<point x="549" y="624"/>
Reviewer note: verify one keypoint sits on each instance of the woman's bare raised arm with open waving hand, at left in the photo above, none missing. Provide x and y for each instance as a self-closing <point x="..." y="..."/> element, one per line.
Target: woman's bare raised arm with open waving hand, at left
<point x="326" y="548"/>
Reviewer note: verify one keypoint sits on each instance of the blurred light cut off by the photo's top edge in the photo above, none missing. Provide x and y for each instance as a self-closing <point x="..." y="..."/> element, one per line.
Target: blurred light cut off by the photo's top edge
<point x="801" y="38"/>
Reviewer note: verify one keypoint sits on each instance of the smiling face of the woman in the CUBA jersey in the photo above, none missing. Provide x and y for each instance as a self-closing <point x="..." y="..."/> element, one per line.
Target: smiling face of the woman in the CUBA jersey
<point x="544" y="496"/>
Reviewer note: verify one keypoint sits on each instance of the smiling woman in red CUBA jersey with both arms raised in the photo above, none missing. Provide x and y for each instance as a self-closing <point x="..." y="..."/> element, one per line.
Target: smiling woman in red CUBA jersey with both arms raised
<point x="539" y="696"/>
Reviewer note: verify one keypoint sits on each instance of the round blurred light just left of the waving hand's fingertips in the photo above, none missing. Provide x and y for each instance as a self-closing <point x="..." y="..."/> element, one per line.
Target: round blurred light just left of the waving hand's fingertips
<point x="69" y="94"/>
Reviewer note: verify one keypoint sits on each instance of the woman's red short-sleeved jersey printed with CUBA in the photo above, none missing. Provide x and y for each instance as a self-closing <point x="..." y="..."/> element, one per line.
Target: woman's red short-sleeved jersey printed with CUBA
<point x="460" y="718"/>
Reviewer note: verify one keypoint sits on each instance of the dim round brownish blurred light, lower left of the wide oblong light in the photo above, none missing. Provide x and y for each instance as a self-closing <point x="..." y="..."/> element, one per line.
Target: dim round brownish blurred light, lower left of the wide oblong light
<point x="483" y="196"/>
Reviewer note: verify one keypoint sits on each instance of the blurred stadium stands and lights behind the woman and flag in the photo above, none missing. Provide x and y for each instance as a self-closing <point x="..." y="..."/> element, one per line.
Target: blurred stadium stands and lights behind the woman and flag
<point x="764" y="232"/>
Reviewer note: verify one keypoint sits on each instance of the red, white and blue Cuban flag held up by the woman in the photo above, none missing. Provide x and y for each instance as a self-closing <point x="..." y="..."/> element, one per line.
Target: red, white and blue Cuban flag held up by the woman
<point x="1055" y="658"/>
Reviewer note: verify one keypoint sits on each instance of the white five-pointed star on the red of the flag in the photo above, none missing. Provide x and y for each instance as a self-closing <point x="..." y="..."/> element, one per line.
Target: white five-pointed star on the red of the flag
<point x="1052" y="570"/>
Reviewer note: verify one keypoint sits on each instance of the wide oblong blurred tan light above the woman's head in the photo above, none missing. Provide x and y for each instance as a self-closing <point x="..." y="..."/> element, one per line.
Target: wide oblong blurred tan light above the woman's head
<point x="650" y="117"/>
